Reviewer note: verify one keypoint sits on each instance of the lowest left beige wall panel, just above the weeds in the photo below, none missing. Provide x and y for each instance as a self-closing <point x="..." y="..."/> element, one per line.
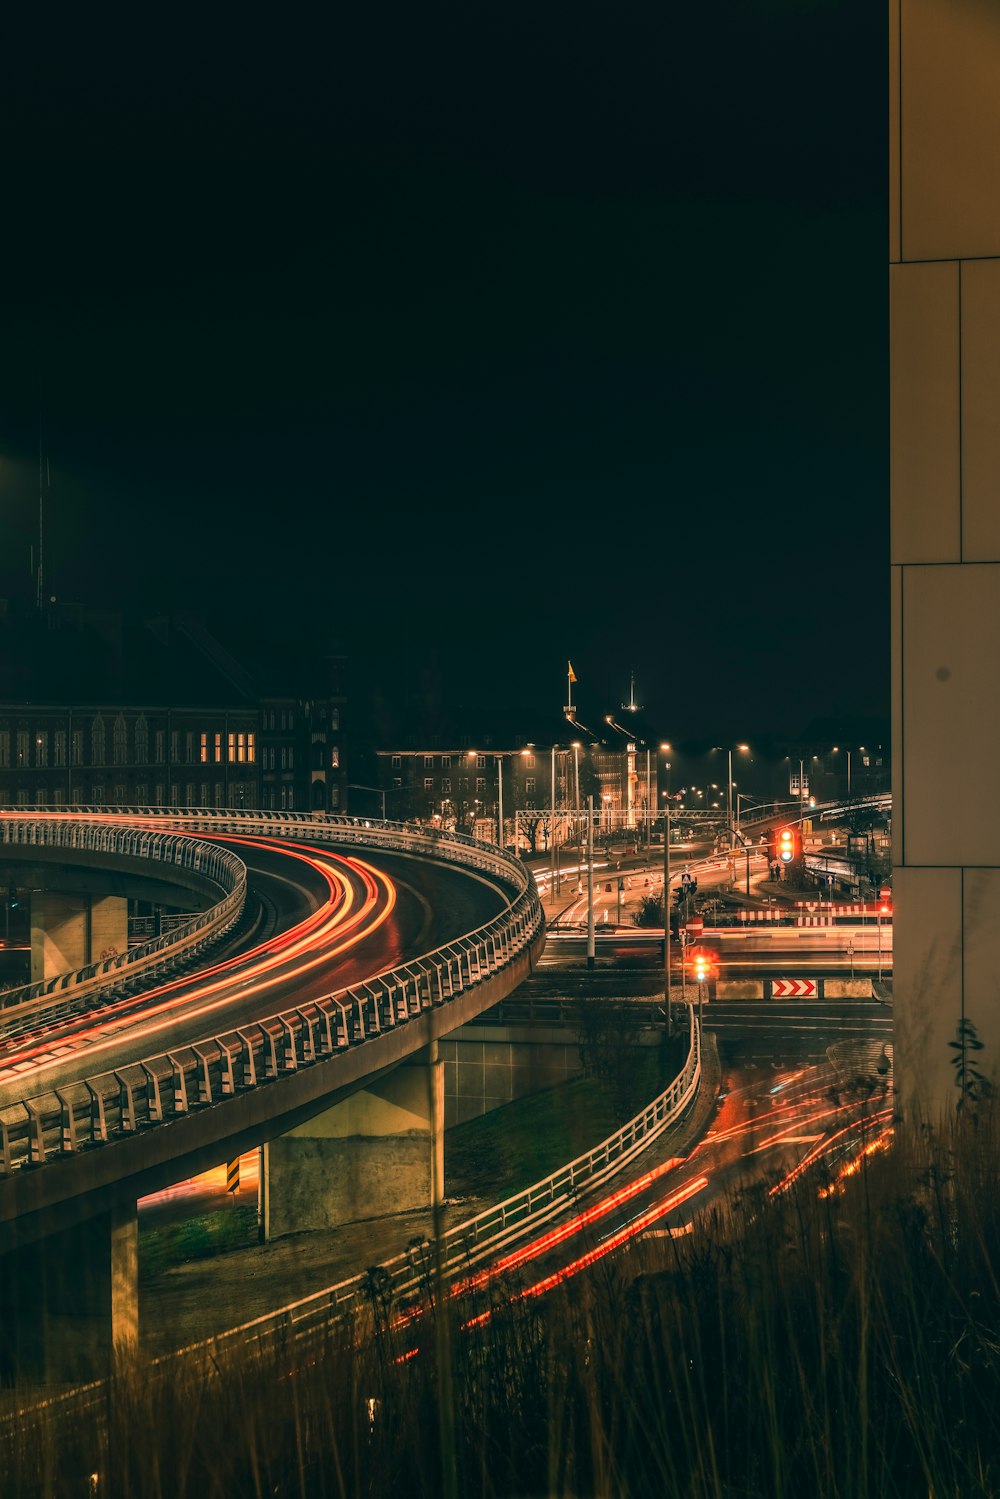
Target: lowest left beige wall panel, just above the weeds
<point x="927" y="989"/>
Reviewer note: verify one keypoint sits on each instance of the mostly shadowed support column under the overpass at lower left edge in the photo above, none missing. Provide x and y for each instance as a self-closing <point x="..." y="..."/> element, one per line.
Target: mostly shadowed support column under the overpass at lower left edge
<point x="70" y="1303"/>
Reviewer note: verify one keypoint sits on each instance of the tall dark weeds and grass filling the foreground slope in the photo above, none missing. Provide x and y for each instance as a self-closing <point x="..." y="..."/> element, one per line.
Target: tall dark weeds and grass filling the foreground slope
<point x="828" y="1345"/>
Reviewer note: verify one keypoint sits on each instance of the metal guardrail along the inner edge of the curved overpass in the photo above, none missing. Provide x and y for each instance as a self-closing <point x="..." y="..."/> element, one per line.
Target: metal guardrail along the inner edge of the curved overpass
<point x="74" y="992"/>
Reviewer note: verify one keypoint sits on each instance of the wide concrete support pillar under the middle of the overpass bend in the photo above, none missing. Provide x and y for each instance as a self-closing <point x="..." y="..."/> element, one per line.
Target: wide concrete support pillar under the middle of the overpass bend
<point x="379" y="1152"/>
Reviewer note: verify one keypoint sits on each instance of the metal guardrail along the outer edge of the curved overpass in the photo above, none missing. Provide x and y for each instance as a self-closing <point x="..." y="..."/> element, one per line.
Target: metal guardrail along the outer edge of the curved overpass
<point x="169" y="1086"/>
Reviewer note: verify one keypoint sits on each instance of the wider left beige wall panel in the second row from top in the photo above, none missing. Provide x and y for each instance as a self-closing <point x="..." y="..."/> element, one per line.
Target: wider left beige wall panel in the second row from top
<point x="924" y="414"/>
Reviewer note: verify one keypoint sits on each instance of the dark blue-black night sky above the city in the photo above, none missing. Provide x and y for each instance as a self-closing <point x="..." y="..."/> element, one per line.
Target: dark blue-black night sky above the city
<point x="479" y="338"/>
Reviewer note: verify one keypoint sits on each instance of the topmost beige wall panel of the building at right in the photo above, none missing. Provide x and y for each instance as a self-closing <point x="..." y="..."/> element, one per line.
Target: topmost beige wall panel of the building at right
<point x="950" y="149"/>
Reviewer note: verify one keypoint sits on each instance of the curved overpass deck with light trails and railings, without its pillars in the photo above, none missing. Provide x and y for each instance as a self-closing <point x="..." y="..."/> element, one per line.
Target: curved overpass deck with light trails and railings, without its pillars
<point x="385" y="941"/>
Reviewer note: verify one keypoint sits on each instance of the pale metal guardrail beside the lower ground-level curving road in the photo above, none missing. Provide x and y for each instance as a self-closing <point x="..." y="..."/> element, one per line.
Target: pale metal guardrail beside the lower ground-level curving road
<point x="469" y="1245"/>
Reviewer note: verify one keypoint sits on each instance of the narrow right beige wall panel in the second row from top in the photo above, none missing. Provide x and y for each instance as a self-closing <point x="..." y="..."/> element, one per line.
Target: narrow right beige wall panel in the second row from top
<point x="981" y="410"/>
